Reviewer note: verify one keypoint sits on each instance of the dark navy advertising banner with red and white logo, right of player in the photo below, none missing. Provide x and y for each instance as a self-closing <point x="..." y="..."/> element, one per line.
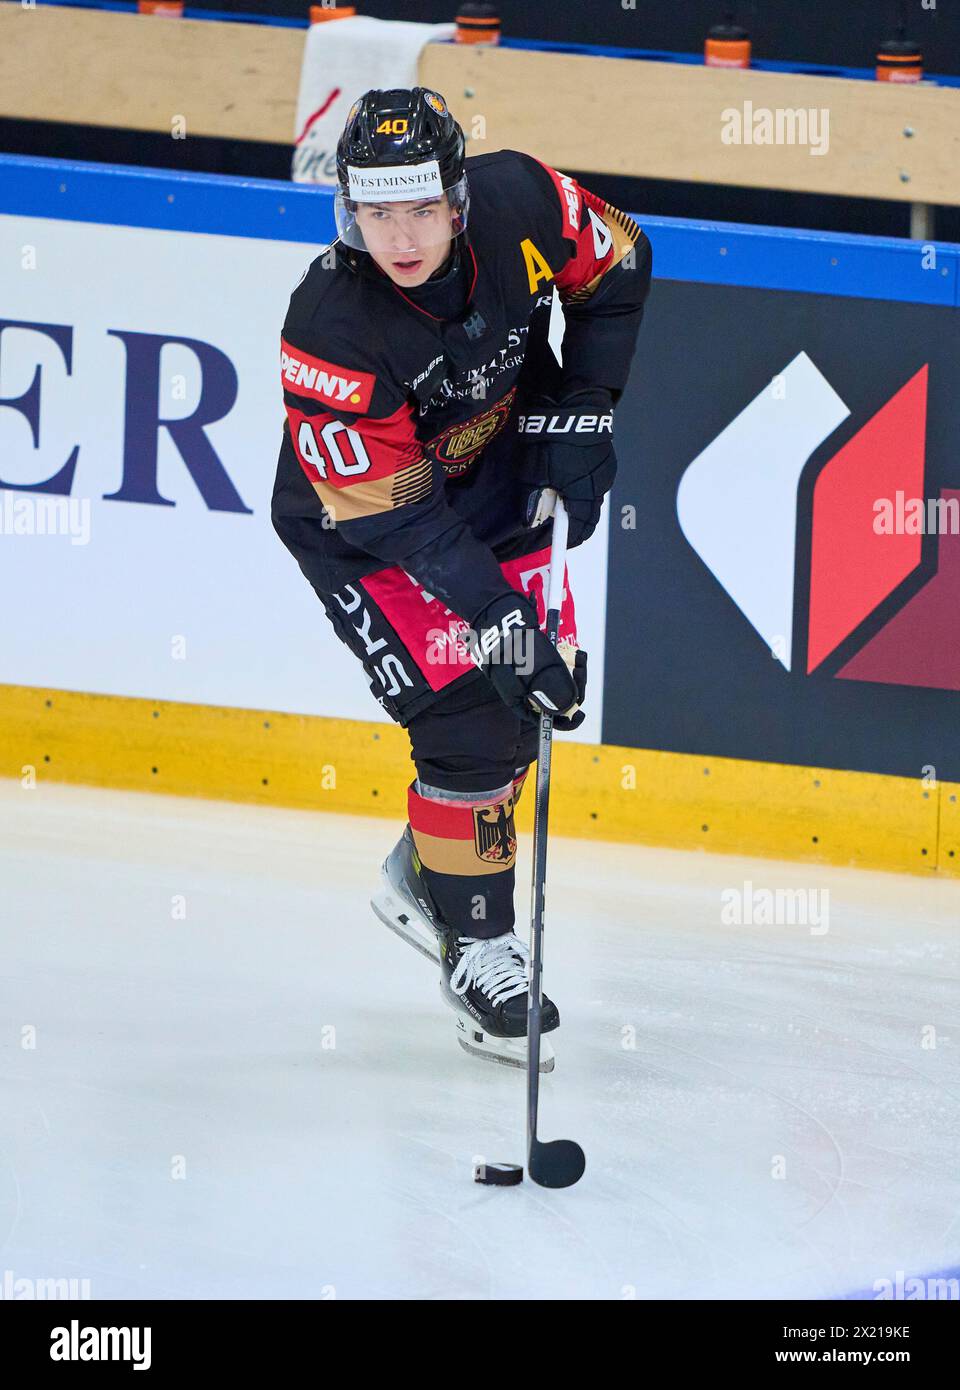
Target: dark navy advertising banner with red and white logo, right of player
<point x="786" y="537"/>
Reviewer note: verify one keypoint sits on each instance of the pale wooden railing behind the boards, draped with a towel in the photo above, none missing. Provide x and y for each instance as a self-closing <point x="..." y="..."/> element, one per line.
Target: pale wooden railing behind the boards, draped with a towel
<point x="652" y="120"/>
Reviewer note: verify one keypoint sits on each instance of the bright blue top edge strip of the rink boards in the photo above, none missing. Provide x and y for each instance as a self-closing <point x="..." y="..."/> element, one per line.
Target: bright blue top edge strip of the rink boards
<point x="716" y="254"/>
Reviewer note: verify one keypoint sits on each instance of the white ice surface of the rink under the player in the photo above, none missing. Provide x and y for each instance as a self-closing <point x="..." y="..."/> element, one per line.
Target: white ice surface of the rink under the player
<point x="297" y="1060"/>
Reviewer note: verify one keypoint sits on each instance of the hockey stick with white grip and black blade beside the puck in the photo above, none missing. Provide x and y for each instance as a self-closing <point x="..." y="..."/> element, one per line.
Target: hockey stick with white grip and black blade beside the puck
<point x="559" y="1163"/>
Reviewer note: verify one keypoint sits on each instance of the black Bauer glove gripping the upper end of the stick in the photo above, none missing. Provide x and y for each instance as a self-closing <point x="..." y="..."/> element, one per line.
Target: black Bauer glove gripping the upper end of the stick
<point x="569" y="447"/>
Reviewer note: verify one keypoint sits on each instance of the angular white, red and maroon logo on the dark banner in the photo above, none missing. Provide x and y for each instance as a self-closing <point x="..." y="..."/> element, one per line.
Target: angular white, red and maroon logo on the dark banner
<point x="861" y="604"/>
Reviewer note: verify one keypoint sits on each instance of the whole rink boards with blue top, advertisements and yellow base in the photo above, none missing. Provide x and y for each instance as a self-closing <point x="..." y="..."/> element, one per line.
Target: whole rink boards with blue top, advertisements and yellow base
<point x="204" y="658"/>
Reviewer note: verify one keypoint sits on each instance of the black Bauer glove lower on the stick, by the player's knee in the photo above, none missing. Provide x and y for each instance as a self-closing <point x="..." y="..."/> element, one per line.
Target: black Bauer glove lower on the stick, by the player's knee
<point x="530" y="675"/>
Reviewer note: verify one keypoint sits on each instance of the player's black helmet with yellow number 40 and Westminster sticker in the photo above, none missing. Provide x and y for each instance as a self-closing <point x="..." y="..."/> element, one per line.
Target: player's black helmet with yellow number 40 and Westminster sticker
<point x="399" y="145"/>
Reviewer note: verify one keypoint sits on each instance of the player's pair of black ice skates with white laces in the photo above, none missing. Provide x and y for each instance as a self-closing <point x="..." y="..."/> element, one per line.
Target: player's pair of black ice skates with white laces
<point x="486" y="982"/>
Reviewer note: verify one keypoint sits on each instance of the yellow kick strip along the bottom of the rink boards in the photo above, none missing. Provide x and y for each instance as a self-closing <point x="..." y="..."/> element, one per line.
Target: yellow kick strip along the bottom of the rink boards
<point x="598" y="793"/>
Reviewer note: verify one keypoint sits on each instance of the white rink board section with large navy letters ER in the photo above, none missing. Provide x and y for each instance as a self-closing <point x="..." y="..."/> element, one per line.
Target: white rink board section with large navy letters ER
<point x="172" y="603"/>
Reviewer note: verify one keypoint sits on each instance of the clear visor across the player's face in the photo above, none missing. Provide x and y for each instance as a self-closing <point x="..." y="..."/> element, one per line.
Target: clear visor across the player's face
<point x="394" y="229"/>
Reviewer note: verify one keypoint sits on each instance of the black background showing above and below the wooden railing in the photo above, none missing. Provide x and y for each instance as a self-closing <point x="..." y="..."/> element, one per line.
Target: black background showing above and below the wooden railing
<point x="831" y="33"/>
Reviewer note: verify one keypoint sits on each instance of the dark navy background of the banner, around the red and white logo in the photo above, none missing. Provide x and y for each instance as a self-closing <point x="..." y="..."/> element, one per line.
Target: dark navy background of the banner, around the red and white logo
<point x="684" y="669"/>
